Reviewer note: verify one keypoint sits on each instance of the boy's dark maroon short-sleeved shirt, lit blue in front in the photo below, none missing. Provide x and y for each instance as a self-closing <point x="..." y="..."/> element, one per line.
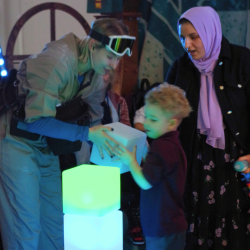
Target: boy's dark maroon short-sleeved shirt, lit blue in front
<point x="161" y="207"/>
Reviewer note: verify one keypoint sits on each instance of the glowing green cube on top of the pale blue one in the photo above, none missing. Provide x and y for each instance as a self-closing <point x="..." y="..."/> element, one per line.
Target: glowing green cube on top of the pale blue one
<point x="91" y="190"/>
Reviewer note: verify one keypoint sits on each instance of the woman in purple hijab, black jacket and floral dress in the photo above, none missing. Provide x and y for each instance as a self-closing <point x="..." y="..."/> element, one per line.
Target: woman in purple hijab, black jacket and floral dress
<point x="216" y="78"/>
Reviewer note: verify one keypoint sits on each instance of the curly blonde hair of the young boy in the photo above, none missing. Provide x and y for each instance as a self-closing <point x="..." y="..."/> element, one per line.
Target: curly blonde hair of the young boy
<point x="170" y="99"/>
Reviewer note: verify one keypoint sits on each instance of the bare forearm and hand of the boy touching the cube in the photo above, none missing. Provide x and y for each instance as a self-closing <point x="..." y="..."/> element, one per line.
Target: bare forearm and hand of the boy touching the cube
<point x="129" y="158"/>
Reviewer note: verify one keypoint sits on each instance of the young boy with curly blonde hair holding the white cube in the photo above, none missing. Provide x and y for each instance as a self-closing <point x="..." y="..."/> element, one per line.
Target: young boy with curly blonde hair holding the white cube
<point x="162" y="176"/>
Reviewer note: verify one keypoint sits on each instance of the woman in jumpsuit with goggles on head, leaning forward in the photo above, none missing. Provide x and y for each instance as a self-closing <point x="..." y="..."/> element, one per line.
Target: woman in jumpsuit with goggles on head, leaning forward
<point x="31" y="214"/>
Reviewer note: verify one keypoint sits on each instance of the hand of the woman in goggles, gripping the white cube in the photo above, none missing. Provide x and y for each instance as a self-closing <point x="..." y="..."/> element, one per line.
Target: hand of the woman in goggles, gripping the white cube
<point x="98" y="136"/>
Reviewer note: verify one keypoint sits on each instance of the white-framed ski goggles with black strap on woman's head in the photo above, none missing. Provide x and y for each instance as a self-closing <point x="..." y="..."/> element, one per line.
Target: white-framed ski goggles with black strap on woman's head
<point x="119" y="45"/>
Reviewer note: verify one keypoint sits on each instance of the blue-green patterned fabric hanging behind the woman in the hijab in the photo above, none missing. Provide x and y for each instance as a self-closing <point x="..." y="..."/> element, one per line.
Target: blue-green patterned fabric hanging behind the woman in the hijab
<point x="159" y="43"/>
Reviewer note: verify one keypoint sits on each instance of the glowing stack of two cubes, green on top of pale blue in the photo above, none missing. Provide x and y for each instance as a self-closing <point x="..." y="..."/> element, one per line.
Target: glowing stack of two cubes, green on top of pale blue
<point x="91" y="198"/>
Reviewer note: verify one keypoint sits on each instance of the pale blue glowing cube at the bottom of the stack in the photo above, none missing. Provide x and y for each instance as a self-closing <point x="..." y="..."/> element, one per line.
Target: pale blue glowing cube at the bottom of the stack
<point x="95" y="233"/>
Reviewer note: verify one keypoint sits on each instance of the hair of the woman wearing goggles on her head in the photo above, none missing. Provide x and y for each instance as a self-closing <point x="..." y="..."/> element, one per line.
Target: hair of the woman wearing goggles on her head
<point x="105" y="26"/>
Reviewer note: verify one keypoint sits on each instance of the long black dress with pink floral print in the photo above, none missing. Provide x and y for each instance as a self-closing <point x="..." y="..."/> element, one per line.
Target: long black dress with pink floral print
<point x="216" y="199"/>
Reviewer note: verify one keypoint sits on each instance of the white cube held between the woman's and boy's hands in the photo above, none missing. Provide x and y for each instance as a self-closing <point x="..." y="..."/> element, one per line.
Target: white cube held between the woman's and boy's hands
<point x="128" y="137"/>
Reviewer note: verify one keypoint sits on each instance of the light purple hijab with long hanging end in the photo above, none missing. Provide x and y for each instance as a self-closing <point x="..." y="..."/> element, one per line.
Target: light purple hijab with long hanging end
<point x="207" y="24"/>
